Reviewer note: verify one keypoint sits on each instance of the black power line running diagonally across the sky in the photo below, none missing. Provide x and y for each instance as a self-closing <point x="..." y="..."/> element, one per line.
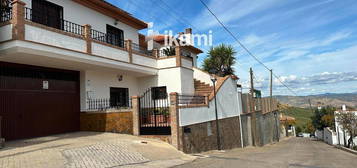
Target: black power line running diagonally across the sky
<point x="245" y="48"/>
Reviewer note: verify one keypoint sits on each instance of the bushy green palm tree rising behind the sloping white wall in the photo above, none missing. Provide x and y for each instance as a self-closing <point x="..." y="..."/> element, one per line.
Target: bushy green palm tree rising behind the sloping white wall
<point x="220" y="59"/>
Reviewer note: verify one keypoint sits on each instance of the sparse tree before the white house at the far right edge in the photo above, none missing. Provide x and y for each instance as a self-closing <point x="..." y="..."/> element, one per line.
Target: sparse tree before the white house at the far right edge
<point x="348" y="121"/>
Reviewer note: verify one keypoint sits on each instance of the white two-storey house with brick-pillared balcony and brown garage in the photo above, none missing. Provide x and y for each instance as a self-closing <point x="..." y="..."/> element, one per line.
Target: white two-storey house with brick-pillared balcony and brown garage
<point x="61" y="57"/>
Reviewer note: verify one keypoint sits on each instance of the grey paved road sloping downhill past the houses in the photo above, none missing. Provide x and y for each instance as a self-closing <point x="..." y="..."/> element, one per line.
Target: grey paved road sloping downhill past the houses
<point x="292" y="153"/>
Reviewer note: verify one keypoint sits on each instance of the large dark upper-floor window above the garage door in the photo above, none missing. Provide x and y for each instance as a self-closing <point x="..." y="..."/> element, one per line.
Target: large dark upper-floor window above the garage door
<point x="47" y="13"/>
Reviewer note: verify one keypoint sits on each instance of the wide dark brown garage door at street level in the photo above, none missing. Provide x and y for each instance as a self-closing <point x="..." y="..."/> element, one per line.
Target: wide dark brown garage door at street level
<point x="37" y="101"/>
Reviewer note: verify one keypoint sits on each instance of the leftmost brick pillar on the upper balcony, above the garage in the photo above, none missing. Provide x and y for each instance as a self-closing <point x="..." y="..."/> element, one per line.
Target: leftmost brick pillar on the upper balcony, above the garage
<point x="18" y="20"/>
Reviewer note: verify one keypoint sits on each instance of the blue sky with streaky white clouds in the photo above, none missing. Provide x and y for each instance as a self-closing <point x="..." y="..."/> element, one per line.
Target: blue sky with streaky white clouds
<point x="310" y="44"/>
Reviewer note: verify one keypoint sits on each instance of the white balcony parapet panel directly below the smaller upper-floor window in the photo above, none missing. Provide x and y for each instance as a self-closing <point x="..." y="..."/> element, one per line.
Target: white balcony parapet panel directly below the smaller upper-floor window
<point x="110" y="52"/>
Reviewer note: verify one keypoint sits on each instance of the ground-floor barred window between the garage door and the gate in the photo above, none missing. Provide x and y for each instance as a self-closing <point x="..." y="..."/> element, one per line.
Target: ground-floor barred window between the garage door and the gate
<point x="119" y="97"/>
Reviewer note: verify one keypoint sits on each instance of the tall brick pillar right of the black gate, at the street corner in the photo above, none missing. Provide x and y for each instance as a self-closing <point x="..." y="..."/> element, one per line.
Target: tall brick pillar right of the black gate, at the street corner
<point x="176" y="130"/>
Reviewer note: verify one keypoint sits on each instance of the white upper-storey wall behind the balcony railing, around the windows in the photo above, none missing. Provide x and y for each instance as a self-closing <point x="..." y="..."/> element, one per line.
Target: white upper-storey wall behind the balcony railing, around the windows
<point x="82" y="15"/>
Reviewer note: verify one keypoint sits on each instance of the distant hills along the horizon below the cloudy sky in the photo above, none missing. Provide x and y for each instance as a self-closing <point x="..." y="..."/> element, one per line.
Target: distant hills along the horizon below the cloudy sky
<point x="332" y="99"/>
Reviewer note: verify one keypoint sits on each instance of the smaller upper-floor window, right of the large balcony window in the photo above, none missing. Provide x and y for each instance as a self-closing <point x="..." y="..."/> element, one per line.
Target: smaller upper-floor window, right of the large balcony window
<point x="115" y="36"/>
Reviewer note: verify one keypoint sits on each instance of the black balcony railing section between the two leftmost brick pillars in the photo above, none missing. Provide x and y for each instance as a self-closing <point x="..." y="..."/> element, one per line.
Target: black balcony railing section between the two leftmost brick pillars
<point x="54" y="22"/>
